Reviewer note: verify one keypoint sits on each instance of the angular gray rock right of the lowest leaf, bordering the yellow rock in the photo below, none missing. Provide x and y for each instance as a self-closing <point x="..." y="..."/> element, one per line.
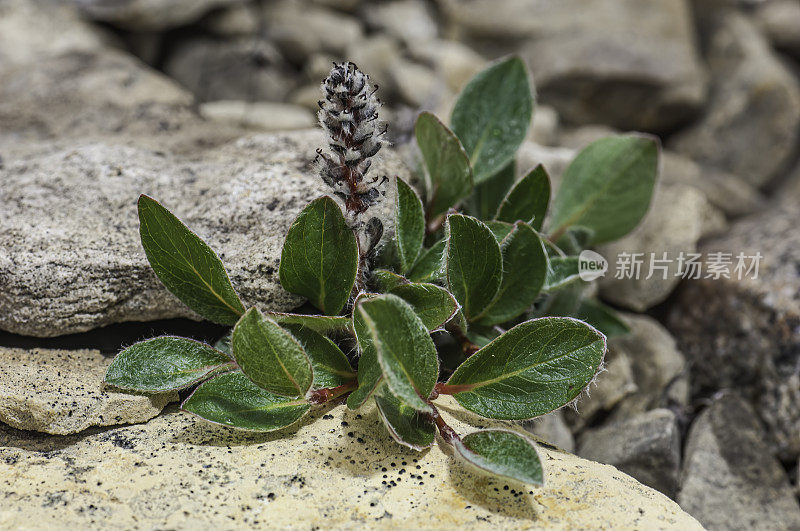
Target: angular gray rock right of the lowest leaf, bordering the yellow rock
<point x="646" y="446"/>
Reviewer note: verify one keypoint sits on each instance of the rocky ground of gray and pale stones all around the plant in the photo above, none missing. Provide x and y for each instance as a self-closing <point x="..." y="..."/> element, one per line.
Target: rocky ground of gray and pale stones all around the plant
<point x="207" y="104"/>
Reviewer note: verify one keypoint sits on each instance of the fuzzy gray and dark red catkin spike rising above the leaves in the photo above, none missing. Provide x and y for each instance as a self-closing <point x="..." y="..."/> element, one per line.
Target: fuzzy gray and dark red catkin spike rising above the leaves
<point x="349" y="115"/>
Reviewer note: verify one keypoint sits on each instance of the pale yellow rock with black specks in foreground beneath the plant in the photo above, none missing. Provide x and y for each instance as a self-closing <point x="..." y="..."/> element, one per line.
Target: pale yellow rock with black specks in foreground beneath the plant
<point x="336" y="469"/>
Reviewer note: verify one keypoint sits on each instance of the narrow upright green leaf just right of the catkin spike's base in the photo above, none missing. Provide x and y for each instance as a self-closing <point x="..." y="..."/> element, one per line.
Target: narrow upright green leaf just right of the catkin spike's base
<point x="409" y="225"/>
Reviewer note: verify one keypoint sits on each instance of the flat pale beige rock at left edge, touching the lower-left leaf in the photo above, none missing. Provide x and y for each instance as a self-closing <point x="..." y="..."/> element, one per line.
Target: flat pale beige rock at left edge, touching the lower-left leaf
<point x="62" y="392"/>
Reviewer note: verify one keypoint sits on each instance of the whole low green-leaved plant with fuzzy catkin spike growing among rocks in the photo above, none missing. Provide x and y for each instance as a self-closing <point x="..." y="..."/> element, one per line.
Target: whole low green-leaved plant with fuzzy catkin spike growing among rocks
<point x="496" y="284"/>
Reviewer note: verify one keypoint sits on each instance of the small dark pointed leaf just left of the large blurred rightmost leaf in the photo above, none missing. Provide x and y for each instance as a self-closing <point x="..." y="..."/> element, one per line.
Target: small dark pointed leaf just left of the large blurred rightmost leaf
<point x="528" y="200"/>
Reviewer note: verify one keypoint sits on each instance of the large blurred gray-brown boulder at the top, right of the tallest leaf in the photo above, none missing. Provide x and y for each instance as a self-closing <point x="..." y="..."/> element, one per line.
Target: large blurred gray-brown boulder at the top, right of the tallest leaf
<point x="625" y="63"/>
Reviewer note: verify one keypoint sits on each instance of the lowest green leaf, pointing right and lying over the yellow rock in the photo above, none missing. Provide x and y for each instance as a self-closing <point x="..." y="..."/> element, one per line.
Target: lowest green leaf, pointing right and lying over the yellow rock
<point x="503" y="453"/>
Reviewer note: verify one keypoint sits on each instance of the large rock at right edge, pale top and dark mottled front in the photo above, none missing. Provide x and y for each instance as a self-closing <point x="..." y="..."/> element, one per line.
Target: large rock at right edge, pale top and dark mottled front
<point x="743" y="333"/>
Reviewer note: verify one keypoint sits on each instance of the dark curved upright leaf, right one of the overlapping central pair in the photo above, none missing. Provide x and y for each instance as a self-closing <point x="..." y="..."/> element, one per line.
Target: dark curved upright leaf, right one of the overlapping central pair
<point x="524" y="270"/>
